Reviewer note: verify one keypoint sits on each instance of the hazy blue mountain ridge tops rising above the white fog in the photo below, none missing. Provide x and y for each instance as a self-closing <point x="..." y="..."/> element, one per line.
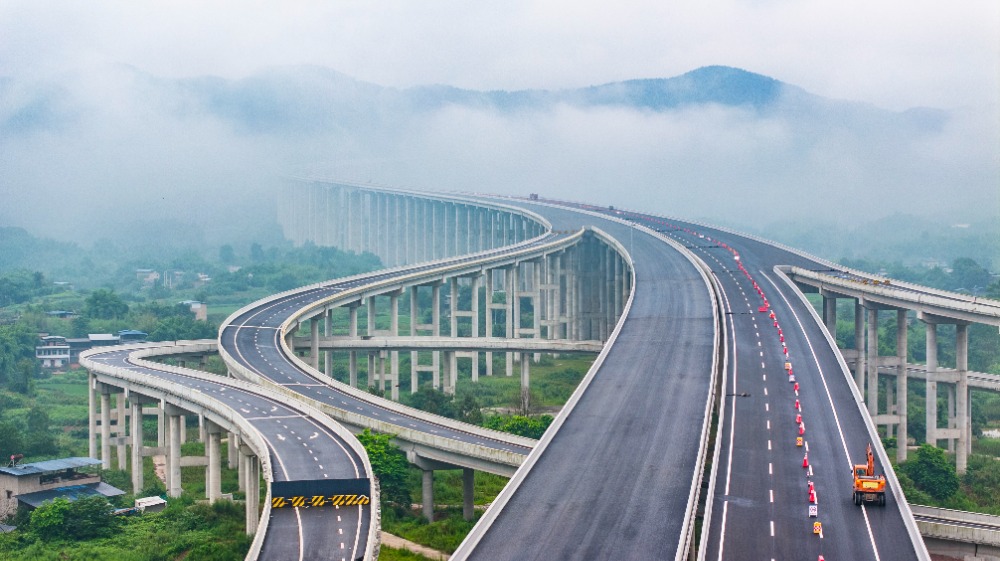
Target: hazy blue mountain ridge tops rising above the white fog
<point x="308" y="99"/>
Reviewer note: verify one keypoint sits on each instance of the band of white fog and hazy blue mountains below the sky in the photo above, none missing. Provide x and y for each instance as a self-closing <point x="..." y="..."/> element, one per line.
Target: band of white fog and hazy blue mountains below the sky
<point x="117" y="152"/>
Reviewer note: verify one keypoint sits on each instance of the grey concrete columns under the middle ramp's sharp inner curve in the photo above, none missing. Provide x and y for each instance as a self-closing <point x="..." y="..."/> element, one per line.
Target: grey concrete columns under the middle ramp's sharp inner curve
<point x="576" y="294"/>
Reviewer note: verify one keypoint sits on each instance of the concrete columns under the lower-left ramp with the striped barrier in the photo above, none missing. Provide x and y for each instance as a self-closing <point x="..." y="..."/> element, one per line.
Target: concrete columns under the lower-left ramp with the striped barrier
<point x="120" y="426"/>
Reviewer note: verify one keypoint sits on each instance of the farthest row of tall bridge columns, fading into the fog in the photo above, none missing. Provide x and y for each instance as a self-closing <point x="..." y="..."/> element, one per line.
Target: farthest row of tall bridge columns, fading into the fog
<point x="400" y="228"/>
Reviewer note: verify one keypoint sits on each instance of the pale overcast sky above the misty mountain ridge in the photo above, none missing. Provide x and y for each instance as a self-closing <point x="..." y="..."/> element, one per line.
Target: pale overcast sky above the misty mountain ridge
<point x="894" y="53"/>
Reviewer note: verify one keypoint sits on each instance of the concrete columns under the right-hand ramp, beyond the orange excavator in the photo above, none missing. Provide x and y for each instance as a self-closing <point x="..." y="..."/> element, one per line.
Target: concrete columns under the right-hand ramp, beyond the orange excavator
<point x="866" y="376"/>
